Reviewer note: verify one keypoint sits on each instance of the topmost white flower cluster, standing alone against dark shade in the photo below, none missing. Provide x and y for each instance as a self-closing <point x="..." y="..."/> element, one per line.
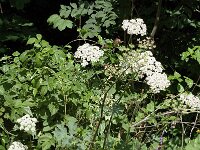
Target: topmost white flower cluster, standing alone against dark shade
<point x="134" y="26"/>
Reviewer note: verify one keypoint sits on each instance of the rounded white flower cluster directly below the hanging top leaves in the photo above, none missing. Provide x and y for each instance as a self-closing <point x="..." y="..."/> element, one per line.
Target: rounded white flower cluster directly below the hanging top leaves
<point x="88" y="53"/>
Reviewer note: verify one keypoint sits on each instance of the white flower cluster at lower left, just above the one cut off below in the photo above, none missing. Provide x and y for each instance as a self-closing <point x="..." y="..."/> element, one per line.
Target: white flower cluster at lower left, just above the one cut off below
<point x="27" y="123"/>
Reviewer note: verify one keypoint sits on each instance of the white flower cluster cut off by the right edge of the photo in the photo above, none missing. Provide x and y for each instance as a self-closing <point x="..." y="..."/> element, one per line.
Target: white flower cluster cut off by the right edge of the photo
<point x="190" y="100"/>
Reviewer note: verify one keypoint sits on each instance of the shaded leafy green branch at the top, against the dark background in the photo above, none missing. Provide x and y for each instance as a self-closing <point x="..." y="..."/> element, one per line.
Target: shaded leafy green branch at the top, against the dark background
<point x="98" y="15"/>
